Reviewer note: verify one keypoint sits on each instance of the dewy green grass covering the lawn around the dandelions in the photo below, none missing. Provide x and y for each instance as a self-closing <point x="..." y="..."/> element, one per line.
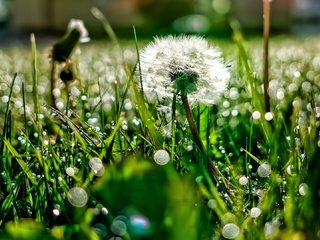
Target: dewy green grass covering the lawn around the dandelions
<point x="52" y="184"/>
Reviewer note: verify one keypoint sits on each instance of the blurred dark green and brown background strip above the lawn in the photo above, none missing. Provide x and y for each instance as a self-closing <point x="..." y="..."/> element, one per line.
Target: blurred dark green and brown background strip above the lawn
<point x="154" y="17"/>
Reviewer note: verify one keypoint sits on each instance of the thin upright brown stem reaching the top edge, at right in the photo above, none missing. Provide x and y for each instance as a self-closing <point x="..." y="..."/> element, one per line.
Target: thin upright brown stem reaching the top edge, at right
<point x="266" y="32"/>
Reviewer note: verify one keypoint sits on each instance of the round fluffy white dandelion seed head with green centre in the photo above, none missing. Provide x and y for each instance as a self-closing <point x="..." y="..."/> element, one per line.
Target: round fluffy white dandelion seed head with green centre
<point x="183" y="63"/>
